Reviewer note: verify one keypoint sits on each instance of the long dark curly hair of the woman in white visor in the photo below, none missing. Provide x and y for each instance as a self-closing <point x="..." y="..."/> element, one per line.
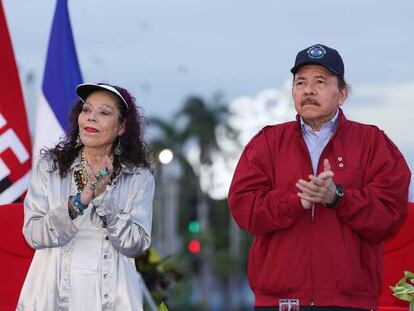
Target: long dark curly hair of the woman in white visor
<point x="134" y="148"/>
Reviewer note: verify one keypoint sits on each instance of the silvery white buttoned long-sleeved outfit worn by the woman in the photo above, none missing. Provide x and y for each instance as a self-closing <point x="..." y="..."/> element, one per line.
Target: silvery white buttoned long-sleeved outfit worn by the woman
<point x="79" y="265"/>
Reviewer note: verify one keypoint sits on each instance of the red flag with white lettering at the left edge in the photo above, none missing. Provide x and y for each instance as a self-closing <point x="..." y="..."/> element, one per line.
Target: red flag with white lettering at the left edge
<point x="15" y="146"/>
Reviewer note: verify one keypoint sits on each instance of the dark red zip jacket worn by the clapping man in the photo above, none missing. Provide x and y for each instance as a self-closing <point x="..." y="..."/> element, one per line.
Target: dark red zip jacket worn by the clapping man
<point x="334" y="259"/>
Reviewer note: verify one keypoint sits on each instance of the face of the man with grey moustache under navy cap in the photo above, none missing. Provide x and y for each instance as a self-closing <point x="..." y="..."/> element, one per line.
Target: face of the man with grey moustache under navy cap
<point x="316" y="95"/>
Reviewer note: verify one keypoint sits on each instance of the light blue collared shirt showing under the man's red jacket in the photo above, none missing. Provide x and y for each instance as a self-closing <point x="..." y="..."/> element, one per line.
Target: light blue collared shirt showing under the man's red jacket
<point x="316" y="141"/>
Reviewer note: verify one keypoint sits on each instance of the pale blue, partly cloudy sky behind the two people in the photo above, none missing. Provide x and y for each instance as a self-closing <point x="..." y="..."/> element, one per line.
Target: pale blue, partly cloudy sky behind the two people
<point x="163" y="51"/>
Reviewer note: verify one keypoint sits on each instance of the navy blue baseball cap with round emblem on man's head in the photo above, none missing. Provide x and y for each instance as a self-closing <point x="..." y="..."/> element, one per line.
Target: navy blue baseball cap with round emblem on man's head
<point x="319" y="54"/>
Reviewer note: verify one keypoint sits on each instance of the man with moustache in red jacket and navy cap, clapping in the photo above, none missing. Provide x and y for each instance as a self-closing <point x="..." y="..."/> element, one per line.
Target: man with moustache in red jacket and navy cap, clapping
<point x="320" y="194"/>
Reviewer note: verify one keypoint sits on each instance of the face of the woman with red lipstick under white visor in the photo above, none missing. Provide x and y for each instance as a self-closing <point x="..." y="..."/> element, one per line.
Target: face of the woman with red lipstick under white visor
<point x="98" y="122"/>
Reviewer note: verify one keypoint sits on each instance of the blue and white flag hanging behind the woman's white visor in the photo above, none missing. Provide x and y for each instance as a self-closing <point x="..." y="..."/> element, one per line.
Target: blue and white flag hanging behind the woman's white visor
<point x="62" y="74"/>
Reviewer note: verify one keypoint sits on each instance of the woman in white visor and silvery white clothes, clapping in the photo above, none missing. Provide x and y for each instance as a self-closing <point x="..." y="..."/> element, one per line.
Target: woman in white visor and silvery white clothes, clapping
<point x="88" y="209"/>
